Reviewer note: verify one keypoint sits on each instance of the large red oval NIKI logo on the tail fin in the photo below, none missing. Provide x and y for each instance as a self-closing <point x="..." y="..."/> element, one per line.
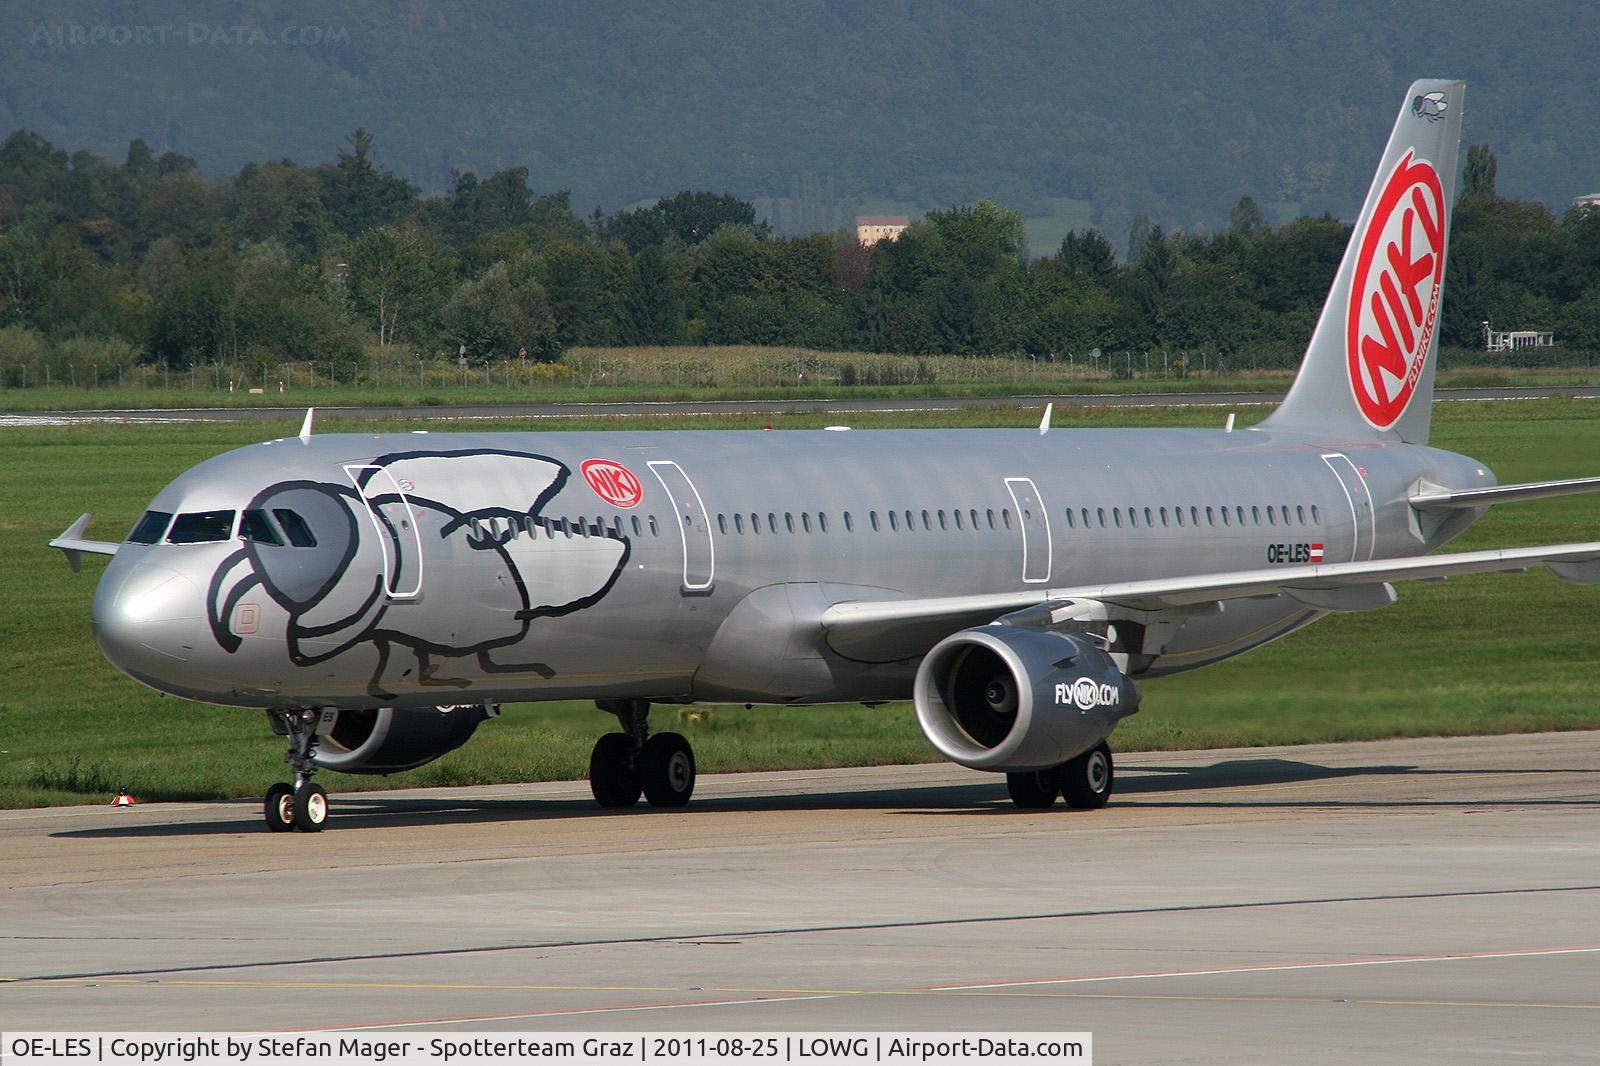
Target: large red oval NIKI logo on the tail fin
<point x="1394" y="294"/>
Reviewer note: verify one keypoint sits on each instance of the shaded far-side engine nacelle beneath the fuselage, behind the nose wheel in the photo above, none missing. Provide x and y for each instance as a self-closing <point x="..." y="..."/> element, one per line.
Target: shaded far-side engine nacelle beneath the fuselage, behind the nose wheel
<point x="390" y="740"/>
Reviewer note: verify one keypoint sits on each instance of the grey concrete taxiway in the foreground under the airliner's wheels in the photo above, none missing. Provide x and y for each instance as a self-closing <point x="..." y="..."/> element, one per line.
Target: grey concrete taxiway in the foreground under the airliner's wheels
<point x="1396" y="902"/>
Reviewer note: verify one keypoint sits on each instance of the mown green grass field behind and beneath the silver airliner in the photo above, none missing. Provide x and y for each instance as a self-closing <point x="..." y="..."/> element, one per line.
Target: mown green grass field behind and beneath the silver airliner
<point x="1473" y="655"/>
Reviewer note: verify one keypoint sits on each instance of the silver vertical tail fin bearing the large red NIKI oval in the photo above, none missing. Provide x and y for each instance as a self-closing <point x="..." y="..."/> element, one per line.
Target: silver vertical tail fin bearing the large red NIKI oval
<point x="1369" y="372"/>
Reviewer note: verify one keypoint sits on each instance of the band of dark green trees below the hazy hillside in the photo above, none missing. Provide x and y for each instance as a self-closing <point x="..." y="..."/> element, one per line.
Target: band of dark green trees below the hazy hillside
<point x="108" y="265"/>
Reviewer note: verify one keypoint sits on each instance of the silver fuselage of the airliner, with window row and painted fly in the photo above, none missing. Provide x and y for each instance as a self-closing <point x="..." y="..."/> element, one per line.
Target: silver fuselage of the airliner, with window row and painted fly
<point x="460" y="569"/>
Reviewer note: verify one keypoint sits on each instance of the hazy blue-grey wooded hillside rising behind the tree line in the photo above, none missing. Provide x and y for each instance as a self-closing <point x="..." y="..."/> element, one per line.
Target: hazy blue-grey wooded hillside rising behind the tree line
<point x="817" y="110"/>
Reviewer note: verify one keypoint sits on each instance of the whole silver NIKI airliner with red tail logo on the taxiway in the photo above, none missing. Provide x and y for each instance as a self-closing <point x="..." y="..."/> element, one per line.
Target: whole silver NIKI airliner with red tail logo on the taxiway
<point x="380" y="596"/>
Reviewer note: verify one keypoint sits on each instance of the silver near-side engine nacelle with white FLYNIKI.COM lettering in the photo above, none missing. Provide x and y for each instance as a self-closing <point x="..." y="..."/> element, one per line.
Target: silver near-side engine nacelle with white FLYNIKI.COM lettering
<point x="1009" y="699"/>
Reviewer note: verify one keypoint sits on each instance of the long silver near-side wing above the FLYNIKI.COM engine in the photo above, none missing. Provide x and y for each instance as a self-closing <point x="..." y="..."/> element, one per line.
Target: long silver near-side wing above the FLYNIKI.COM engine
<point x="874" y="628"/>
